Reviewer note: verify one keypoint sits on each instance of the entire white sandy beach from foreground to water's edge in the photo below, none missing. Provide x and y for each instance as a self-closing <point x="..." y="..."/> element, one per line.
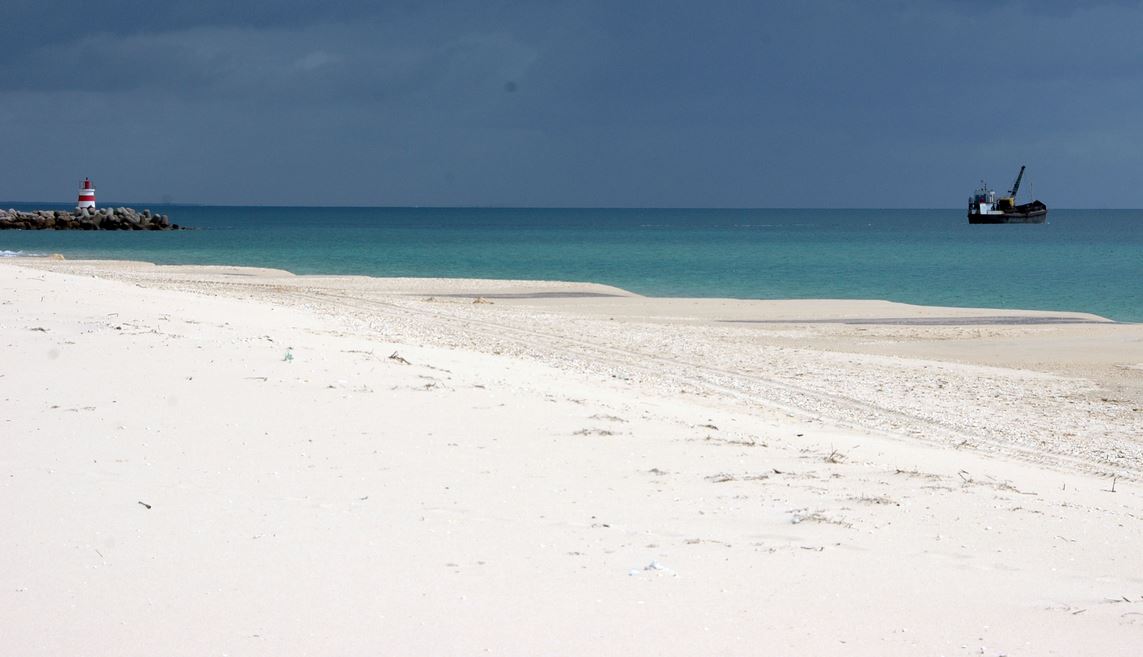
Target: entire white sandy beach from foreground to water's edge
<point x="206" y="461"/>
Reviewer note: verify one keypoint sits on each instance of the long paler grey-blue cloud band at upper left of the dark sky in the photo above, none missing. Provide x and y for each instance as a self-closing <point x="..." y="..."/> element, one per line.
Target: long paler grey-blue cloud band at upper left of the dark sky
<point x="327" y="62"/>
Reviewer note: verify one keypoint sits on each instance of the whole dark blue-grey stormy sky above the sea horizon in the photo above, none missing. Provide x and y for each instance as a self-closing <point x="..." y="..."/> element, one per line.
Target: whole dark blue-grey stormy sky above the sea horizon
<point x="579" y="103"/>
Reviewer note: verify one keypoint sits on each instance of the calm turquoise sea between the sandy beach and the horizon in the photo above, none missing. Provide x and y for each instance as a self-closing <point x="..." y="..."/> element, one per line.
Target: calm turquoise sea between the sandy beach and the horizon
<point x="1081" y="261"/>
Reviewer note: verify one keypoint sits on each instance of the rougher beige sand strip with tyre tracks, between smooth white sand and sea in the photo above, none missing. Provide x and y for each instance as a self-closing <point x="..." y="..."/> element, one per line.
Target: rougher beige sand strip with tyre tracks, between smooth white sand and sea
<point x="901" y="379"/>
